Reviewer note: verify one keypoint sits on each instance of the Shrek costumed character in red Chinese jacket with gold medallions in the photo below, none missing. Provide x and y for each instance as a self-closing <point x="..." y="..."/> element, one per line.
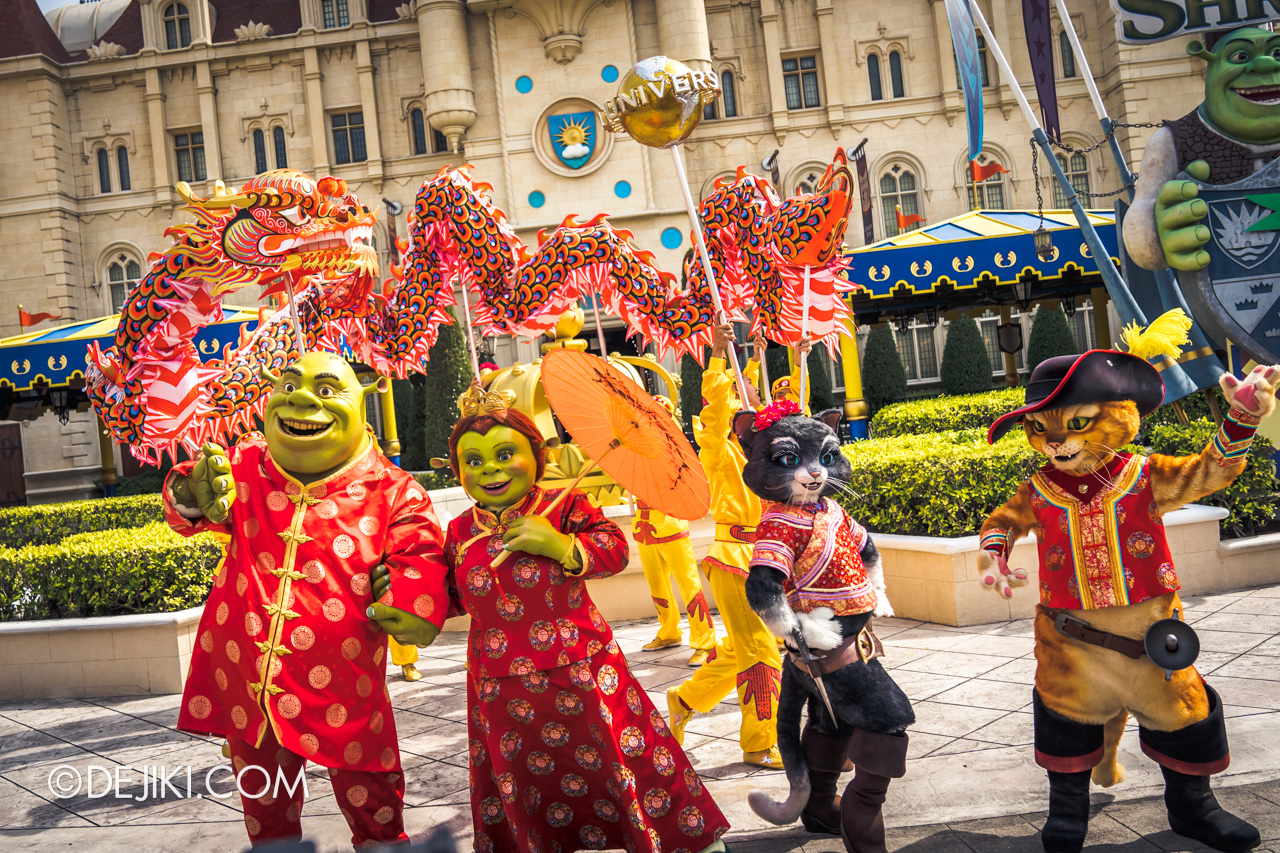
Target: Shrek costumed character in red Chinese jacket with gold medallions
<point x="289" y="664"/>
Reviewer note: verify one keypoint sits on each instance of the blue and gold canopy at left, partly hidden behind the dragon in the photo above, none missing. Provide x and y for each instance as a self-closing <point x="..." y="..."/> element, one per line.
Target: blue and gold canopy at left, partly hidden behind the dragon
<point x="58" y="357"/>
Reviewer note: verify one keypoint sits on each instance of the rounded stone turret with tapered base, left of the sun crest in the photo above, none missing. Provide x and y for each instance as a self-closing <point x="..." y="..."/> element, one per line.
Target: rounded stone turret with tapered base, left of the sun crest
<point x="451" y="102"/>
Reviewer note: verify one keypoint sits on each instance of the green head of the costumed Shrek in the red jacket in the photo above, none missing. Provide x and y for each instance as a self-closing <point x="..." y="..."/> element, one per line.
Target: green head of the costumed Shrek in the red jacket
<point x="316" y="417"/>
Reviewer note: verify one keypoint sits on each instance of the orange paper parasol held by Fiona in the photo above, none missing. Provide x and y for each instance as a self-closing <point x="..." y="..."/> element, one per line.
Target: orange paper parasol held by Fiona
<point x="628" y="434"/>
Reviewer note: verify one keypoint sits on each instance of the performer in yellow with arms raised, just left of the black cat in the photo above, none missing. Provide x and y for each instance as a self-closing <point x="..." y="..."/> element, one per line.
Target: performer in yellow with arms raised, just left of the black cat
<point x="747" y="659"/>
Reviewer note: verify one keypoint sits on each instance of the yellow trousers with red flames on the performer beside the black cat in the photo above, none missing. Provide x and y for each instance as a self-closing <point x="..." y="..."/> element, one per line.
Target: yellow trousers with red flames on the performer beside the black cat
<point x="747" y="658"/>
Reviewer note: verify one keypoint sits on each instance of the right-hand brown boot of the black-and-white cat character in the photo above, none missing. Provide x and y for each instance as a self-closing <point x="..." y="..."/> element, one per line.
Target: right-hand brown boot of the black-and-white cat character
<point x="879" y="759"/>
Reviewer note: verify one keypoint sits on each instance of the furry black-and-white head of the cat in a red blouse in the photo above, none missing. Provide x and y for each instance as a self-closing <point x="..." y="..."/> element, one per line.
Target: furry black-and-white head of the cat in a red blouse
<point x="797" y="460"/>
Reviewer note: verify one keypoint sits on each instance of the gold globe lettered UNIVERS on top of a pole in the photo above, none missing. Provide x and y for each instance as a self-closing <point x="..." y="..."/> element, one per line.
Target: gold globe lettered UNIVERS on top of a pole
<point x="661" y="102"/>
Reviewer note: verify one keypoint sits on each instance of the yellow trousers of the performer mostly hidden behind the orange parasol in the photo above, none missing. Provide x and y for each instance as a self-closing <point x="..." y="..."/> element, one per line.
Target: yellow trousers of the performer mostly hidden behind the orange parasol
<point x="666" y="551"/>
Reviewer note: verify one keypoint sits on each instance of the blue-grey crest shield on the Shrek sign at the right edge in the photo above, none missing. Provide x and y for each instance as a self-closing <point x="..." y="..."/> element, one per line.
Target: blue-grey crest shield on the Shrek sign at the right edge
<point x="1237" y="297"/>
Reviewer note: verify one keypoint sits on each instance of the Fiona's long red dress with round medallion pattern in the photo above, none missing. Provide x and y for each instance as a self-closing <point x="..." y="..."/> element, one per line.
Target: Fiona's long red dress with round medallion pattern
<point x="568" y="752"/>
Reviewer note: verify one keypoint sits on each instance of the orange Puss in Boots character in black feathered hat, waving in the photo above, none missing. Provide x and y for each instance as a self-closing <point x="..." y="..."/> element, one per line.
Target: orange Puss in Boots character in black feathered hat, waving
<point x="1107" y="576"/>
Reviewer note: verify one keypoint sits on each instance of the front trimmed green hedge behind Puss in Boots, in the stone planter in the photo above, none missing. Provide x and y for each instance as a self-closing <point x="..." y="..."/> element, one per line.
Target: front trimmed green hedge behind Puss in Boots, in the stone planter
<point x="947" y="483"/>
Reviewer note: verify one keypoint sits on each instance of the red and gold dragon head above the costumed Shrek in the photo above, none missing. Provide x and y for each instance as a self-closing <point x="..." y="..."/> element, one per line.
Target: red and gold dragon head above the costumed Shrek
<point x="280" y="230"/>
